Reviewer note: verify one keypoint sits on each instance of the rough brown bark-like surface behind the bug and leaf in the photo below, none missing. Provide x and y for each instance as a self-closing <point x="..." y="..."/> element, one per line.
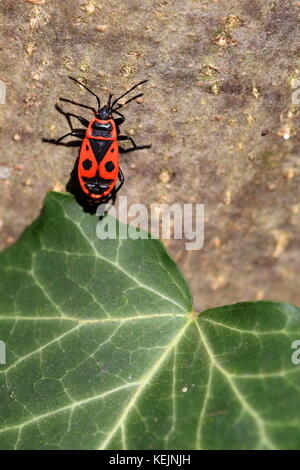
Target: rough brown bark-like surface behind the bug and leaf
<point x="218" y="110"/>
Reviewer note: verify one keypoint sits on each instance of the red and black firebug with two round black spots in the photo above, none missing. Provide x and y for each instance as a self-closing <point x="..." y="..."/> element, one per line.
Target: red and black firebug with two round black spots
<point x="98" y="169"/>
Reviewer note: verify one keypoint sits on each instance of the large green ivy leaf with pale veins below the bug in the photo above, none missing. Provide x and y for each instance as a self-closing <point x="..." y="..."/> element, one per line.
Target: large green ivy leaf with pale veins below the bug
<point x="104" y="351"/>
